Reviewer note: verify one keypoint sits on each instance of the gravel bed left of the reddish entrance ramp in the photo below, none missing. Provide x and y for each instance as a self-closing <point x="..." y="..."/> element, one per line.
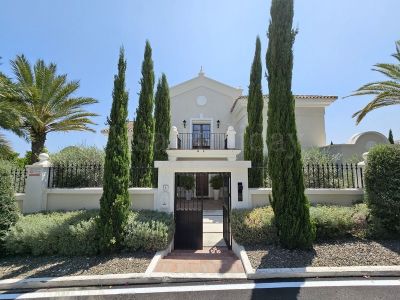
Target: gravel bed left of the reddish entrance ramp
<point x="54" y="266"/>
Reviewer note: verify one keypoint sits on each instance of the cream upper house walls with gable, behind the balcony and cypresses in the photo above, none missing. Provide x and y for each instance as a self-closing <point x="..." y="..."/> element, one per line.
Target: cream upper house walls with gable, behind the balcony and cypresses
<point x="204" y="100"/>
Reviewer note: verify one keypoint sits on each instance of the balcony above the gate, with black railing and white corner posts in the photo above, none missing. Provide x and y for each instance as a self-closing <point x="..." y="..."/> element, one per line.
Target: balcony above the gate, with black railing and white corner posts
<point x="202" y="145"/>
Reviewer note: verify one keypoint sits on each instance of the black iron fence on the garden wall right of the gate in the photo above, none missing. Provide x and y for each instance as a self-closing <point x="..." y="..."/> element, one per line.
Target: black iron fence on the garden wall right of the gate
<point x="326" y="176"/>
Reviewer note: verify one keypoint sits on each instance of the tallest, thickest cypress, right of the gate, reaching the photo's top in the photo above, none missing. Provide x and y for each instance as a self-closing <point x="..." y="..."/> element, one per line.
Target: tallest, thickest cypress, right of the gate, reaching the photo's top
<point x="290" y="205"/>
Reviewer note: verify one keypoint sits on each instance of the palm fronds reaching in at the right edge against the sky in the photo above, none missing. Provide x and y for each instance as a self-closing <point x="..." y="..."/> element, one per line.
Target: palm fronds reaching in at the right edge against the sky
<point x="386" y="92"/>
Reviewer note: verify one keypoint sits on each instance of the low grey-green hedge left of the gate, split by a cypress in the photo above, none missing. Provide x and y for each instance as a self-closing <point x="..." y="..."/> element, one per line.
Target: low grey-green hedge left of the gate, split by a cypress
<point x="77" y="233"/>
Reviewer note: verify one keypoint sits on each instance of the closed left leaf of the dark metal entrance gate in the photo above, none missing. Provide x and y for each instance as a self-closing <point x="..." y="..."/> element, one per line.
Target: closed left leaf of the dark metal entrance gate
<point x="188" y="213"/>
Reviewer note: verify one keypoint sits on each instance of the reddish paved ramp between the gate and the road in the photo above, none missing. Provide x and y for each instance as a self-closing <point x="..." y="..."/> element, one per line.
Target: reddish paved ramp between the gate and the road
<point x="208" y="260"/>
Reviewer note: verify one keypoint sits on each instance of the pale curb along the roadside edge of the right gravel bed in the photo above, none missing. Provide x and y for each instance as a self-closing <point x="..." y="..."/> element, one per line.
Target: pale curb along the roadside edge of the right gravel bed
<point x="308" y="272"/>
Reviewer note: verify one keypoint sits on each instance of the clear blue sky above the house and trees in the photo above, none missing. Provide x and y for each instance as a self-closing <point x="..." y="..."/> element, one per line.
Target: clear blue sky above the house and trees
<point x="338" y="43"/>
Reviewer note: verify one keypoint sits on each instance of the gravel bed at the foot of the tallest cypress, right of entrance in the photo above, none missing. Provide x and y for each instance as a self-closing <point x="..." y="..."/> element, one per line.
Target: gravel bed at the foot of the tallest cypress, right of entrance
<point x="349" y="252"/>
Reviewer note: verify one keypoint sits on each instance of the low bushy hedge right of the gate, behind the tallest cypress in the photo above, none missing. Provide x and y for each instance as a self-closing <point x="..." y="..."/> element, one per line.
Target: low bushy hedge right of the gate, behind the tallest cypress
<point x="257" y="226"/>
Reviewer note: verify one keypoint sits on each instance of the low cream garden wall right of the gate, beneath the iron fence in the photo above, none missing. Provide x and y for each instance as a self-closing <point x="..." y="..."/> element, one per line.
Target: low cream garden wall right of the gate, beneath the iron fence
<point x="344" y="197"/>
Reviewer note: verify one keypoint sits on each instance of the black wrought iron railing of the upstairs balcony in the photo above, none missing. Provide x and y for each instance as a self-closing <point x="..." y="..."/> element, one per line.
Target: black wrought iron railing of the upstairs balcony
<point x="214" y="141"/>
